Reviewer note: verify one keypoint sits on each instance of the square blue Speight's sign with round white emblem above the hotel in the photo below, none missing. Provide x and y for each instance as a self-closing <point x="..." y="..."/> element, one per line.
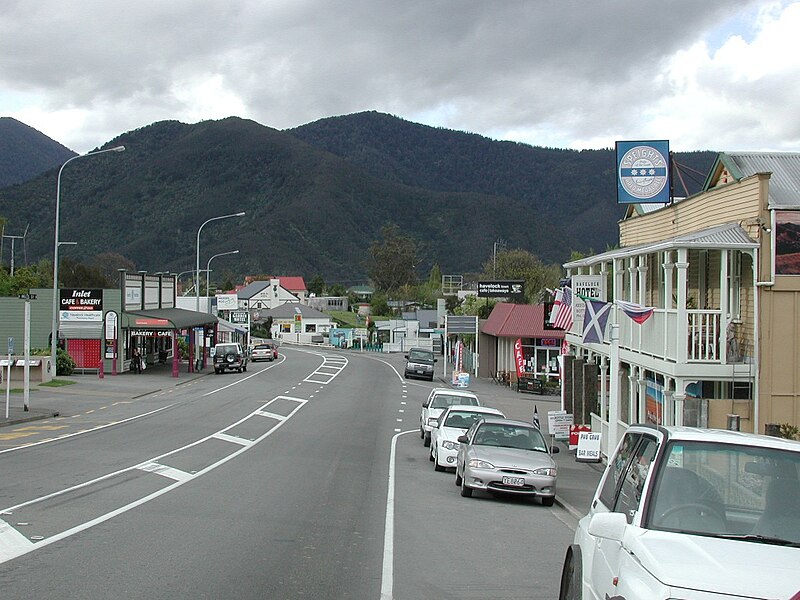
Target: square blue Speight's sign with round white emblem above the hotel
<point x="643" y="172"/>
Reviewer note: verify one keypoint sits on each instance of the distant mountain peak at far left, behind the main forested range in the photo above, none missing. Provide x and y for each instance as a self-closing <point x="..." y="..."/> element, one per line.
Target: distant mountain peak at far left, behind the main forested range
<point x="26" y="152"/>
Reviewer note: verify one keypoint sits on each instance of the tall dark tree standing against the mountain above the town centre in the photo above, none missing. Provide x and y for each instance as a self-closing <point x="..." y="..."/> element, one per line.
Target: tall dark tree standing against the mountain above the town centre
<point x="392" y="260"/>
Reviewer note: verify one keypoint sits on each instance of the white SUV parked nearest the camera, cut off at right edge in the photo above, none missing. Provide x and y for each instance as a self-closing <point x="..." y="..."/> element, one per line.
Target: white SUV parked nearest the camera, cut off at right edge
<point x="690" y="513"/>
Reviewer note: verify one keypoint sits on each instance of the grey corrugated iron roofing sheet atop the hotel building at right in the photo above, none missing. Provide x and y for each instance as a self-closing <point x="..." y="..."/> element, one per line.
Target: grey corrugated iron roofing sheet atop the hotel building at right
<point x="784" y="183"/>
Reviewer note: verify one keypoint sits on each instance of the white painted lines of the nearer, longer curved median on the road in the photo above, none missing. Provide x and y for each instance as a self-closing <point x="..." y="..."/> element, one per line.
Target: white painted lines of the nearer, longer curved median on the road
<point x="10" y="546"/>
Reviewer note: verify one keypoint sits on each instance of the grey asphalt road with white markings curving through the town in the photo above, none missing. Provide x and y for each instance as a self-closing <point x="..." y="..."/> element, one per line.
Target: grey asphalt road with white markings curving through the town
<point x="301" y="478"/>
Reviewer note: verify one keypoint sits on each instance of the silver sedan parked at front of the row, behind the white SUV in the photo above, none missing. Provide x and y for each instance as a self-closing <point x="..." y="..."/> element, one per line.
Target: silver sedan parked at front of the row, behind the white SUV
<point x="505" y="456"/>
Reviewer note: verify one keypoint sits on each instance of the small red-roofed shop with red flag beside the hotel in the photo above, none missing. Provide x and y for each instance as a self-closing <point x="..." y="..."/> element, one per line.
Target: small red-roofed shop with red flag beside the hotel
<point x="508" y="323"/>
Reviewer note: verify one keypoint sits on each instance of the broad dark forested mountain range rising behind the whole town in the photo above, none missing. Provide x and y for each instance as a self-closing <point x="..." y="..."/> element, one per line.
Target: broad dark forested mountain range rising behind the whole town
<point x="316" y="197"/>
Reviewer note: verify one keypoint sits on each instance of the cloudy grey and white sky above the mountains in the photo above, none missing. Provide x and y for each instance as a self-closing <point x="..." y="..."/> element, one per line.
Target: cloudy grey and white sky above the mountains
<point x="710" y="74"/>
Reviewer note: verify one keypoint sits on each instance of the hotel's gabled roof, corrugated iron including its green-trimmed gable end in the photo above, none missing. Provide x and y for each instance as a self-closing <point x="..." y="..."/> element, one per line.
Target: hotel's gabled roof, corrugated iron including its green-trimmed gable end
<point x="784" y="181"/>
